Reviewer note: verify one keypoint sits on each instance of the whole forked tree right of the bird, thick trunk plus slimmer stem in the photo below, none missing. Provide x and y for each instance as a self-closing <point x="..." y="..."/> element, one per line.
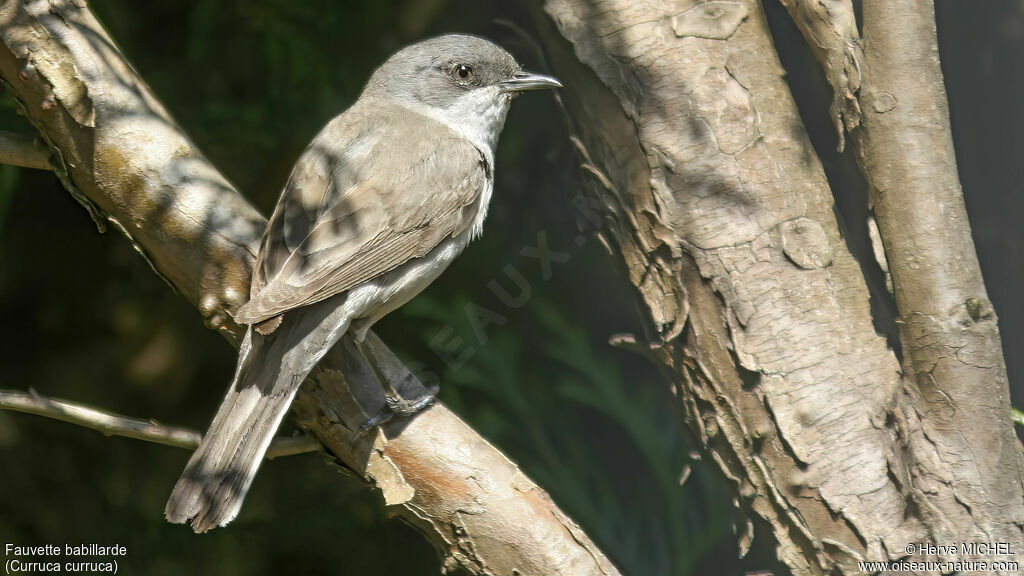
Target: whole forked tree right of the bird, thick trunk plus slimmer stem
<point x="707" y="188"/>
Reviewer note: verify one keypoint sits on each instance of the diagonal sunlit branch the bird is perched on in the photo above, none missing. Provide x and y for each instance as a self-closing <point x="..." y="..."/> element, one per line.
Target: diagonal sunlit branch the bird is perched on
<point x="120" y="153"/>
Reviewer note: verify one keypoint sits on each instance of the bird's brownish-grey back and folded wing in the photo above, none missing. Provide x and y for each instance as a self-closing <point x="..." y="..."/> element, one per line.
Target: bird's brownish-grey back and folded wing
<point x="361" y="203"/>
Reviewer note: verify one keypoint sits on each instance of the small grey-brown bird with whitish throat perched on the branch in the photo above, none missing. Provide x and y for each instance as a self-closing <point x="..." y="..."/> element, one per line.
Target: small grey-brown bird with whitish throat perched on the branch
<point x="382" y="201"/>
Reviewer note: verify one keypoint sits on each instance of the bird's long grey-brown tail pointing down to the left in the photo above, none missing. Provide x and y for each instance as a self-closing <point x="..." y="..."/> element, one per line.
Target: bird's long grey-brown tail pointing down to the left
<point x="271" y="368"/>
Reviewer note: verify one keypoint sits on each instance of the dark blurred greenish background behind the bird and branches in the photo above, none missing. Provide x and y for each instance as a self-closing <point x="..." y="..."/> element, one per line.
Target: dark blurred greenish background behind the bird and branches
<point x="252" y="83"/>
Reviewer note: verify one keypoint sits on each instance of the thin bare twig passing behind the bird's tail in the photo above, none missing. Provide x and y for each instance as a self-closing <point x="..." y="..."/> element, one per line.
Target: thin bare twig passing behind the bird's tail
<point x="148" y="431"/>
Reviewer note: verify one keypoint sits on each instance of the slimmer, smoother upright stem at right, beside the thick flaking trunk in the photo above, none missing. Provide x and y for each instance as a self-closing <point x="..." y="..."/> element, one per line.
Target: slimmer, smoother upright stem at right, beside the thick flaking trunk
<point x="968" y="462"/>
